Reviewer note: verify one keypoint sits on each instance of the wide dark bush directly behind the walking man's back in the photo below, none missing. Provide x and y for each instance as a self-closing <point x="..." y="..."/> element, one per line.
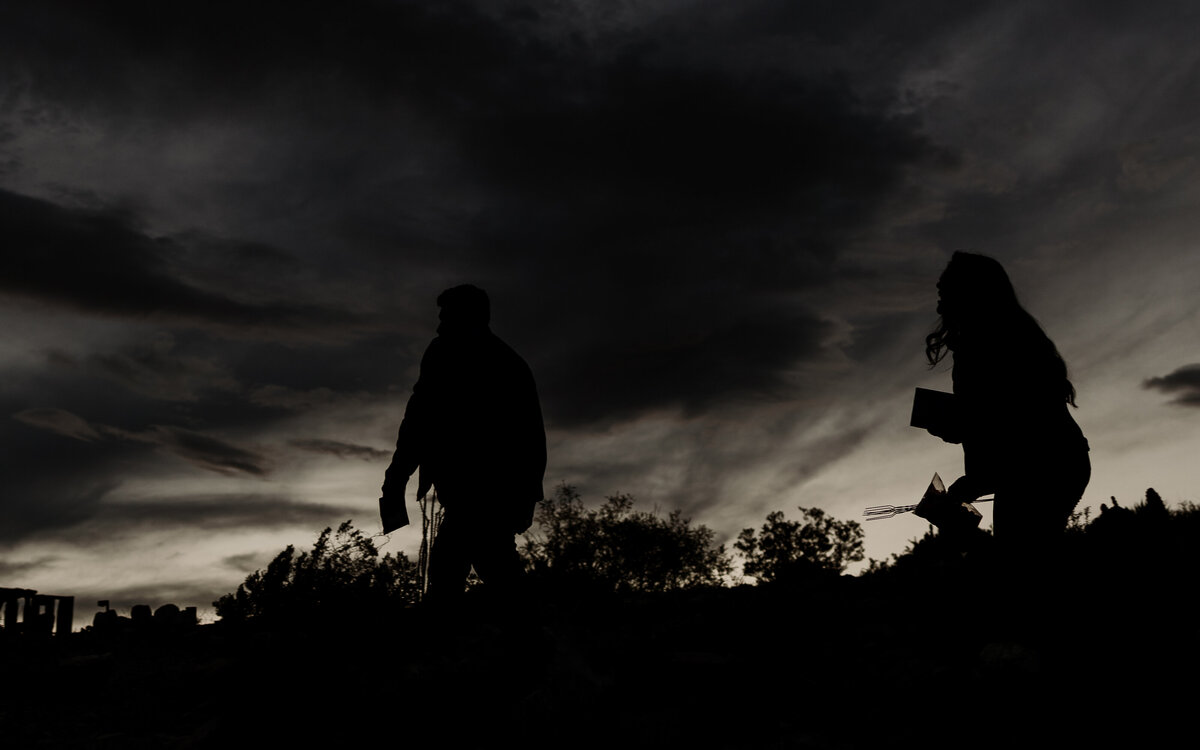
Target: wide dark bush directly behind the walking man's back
<point x="617" y="549"/>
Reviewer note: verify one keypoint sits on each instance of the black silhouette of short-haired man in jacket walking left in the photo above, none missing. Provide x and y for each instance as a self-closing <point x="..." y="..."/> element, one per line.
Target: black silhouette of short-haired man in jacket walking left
<point x="475" y="428"/>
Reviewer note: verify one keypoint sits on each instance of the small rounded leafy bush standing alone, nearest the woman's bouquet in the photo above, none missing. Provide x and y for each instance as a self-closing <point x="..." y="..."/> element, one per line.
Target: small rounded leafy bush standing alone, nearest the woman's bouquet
<point x="788" y="551"/>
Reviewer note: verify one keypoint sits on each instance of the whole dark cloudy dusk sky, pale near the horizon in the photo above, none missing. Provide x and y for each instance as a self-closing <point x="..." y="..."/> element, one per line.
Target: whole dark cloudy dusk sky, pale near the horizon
<point x="712" y="229"/>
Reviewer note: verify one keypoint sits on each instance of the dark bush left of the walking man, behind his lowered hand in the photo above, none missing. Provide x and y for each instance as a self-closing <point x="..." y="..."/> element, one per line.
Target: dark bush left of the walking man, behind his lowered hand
<point x="343" y="569"/>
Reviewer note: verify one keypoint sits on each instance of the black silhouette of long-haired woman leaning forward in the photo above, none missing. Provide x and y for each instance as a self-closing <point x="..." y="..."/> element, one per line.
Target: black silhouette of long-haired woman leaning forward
<point x="1012" y="393"/>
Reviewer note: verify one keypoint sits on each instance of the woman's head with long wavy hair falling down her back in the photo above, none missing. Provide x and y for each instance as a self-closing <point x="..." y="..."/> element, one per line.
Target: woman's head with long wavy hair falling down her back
<point x="979" y="308"/>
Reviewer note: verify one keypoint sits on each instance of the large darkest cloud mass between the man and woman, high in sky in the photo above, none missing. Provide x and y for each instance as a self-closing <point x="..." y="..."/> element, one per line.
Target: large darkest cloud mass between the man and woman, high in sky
<point x="652" y="229"/>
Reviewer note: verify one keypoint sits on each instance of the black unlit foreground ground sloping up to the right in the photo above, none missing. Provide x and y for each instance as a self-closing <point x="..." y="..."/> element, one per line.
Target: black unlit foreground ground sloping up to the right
<point x="903" y="657"/>
